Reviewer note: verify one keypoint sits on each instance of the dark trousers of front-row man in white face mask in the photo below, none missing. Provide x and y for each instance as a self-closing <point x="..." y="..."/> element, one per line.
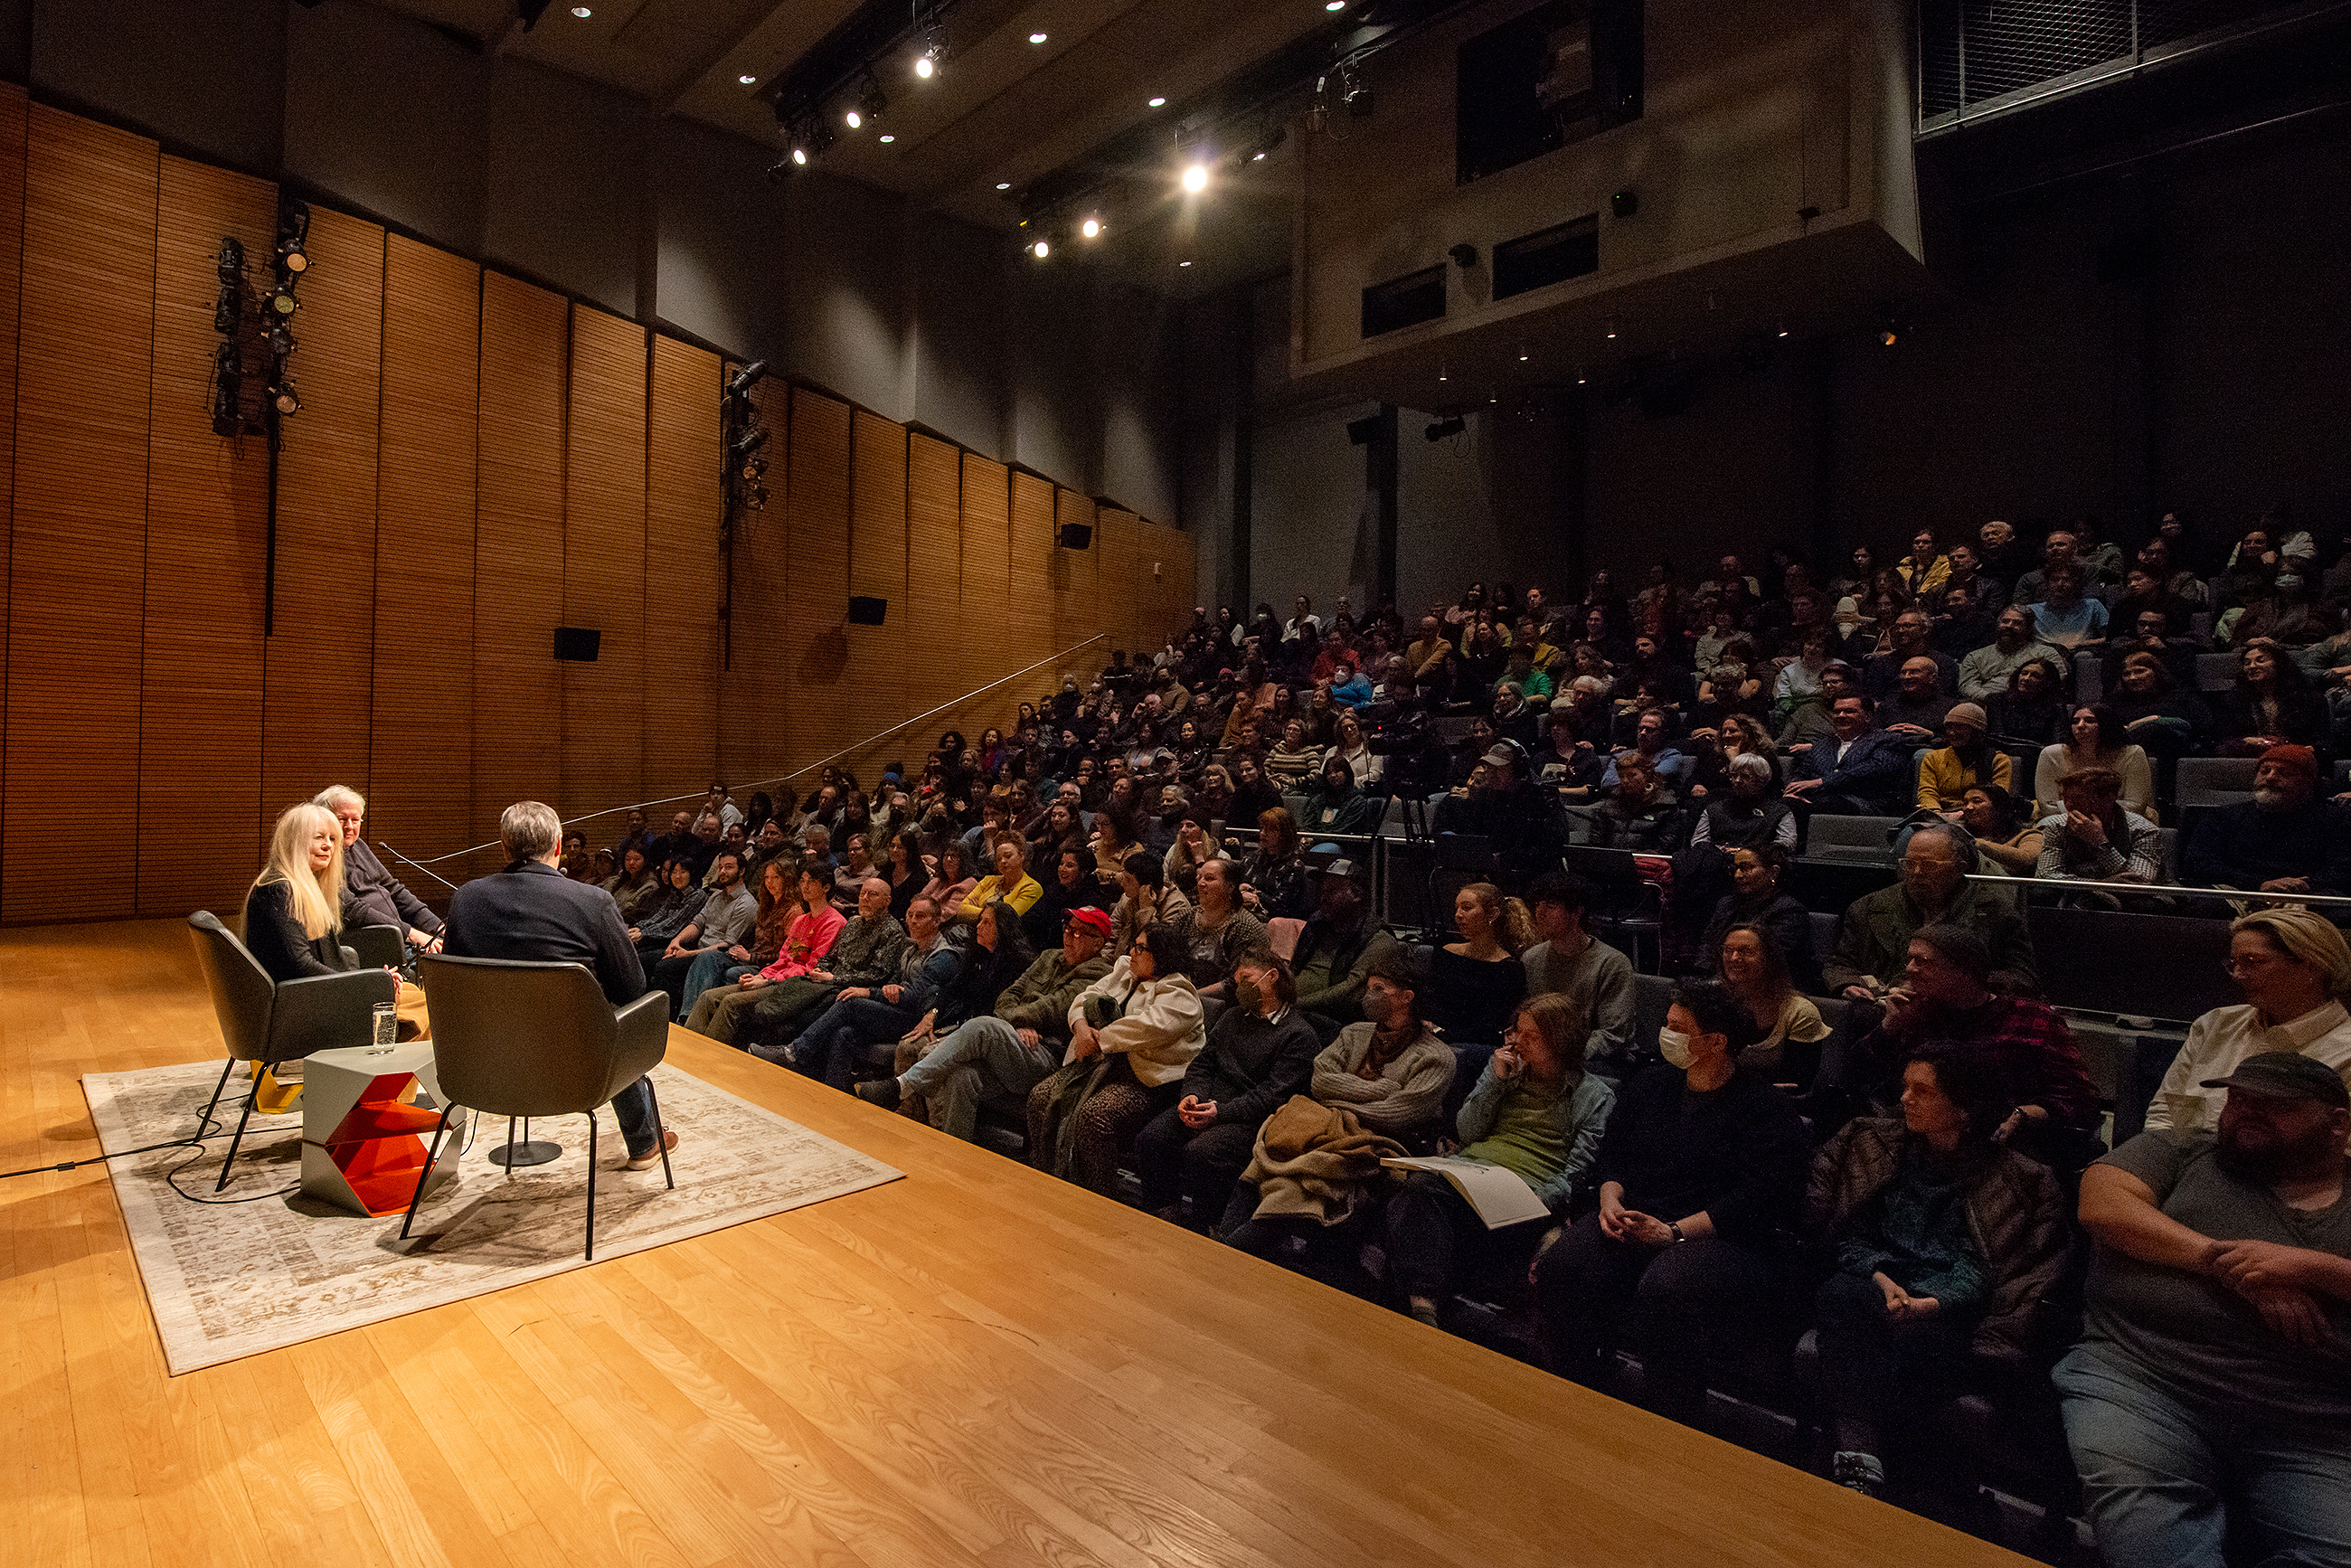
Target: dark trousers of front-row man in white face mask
<point x="1677" y="1301"/>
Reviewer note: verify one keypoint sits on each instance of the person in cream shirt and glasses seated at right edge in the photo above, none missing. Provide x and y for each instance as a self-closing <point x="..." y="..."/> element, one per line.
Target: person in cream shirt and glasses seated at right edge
<point x="2296" y="972"/>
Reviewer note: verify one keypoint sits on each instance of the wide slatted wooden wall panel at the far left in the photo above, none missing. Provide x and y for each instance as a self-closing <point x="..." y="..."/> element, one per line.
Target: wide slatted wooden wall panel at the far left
<point x="79" y="551"/>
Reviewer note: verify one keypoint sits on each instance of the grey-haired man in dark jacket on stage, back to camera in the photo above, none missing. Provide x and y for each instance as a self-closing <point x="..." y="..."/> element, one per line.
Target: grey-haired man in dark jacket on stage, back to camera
<point x="535" y="913"/>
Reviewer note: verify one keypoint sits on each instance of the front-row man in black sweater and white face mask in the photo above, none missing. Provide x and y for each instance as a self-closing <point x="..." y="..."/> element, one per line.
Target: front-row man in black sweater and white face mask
<point x="1703" y="1160"/>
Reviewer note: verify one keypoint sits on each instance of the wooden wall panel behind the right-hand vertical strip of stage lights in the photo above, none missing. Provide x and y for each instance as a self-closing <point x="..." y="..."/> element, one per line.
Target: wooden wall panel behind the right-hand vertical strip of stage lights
<point x="756" y="688"/>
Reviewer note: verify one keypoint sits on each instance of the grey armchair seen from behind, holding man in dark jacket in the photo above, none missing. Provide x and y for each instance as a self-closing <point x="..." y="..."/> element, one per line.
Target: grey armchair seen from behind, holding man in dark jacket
<point x="537" y="1040"/>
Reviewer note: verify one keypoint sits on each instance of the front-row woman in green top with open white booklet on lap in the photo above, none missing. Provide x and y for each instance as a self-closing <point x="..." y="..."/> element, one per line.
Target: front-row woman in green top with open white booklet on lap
<point x="1534" y="1113"/>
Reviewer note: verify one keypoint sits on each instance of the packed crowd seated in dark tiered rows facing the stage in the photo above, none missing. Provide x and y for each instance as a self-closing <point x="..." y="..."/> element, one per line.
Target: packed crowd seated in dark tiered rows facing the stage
<point x="1132" y="934"/>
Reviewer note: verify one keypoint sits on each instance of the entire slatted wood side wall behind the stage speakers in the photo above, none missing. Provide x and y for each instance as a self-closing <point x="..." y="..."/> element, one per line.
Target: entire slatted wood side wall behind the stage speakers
<point x="474" y="464"/>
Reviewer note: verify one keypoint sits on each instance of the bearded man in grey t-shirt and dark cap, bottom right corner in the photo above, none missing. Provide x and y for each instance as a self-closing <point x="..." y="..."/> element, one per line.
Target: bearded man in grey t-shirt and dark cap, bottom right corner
<point x="2211" y="1395"/>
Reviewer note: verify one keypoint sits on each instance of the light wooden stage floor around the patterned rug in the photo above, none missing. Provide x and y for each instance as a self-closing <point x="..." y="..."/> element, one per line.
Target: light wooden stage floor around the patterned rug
<point x="977" y="1365"/>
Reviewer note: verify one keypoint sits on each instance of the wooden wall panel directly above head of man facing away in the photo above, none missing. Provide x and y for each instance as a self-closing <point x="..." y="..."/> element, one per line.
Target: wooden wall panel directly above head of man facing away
<point x="518" y="692"/>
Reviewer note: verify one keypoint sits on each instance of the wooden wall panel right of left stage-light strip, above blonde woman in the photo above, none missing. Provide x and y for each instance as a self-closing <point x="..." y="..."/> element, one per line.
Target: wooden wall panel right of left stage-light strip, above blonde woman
<point x="323" y="655"/>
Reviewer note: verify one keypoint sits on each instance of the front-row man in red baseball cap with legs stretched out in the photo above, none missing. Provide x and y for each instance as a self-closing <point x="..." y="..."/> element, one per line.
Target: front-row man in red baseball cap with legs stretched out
<point x="1000" y="1057"/>
